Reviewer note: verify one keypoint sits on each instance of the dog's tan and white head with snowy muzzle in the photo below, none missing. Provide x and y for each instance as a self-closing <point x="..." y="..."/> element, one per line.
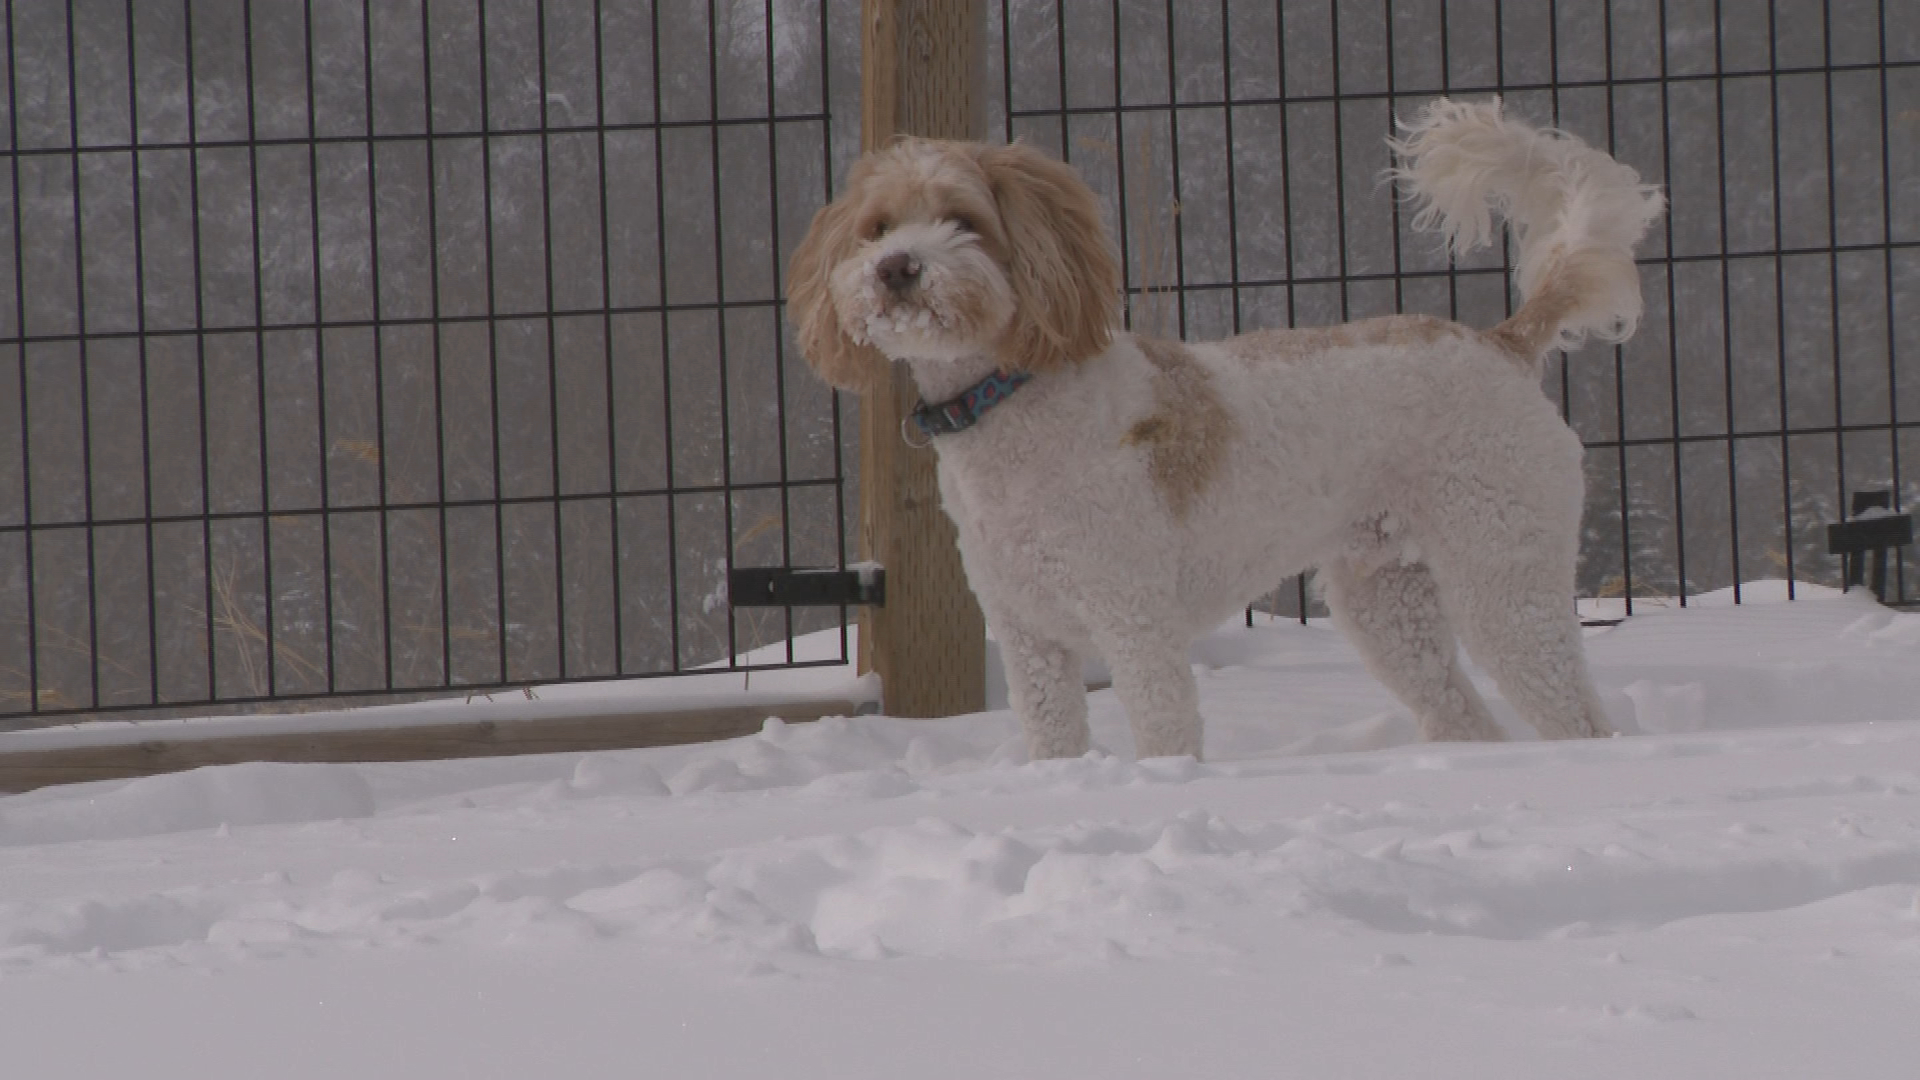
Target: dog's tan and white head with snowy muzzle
<point x="951" y="251"/>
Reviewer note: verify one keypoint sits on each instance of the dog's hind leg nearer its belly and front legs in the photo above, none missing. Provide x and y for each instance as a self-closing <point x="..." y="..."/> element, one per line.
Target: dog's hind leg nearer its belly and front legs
<point x="1393" y="618"/>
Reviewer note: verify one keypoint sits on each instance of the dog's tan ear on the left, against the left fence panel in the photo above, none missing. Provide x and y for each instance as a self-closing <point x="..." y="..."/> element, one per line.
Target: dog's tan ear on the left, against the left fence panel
<point x="827" y="347"/>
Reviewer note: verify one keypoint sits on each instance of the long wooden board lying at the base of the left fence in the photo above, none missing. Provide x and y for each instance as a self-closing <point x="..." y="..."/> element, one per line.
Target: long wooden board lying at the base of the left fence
<point x="28" y="770"/>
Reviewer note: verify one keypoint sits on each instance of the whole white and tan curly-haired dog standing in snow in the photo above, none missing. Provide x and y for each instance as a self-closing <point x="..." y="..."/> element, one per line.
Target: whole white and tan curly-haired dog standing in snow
<point x="1126" y="495"/>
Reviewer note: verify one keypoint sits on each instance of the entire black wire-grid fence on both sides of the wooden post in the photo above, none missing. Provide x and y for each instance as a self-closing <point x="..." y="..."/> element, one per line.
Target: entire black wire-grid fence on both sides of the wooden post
<point x="381" y="349"/>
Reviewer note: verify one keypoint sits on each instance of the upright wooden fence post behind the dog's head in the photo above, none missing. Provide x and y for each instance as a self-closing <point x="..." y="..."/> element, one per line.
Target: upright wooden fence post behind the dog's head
<point x="923" y="74"/>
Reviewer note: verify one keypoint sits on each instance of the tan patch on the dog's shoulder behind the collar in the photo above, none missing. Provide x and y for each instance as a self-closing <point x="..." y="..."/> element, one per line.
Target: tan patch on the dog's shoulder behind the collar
<point x="1189" y="430"/>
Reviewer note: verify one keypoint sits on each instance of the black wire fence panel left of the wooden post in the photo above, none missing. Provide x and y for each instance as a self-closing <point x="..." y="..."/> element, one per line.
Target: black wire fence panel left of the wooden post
<point x="366" y="349"/>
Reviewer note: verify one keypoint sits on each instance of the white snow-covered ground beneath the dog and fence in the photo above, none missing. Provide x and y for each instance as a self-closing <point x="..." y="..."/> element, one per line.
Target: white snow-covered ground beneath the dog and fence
<point x="1729" y="891"/>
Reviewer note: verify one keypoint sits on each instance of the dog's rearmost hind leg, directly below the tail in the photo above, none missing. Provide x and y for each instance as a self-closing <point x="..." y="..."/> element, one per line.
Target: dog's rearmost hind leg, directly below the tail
<point x="1518" y="620"/>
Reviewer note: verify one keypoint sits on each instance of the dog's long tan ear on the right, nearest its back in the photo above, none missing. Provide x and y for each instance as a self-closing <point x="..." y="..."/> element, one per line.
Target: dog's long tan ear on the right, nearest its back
<point x="1061" y="264"/>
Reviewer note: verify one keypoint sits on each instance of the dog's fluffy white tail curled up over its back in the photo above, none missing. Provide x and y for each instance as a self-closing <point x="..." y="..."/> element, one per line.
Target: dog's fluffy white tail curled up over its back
<point x="1575" y="214"/>
